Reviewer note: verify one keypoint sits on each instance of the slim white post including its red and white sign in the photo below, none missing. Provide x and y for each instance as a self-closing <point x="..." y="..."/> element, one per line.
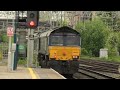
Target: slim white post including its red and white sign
<point x="10" y="34"/>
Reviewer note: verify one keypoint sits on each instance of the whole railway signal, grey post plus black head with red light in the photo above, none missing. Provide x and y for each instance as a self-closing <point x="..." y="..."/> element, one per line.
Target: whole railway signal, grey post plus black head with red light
<point x="32" y="23"/>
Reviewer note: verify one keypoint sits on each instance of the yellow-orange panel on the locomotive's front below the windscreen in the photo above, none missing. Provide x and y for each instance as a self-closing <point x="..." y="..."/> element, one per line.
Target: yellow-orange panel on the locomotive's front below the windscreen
<point x="64" y="53"/>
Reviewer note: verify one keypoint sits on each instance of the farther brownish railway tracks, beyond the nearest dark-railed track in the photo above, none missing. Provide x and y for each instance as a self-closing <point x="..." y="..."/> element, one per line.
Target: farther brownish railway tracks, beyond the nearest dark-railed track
<point x="98" y="65"/>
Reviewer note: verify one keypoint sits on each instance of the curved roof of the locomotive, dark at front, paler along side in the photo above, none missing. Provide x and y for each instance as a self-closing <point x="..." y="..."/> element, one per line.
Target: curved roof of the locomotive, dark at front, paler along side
<point x="61" y="29"/>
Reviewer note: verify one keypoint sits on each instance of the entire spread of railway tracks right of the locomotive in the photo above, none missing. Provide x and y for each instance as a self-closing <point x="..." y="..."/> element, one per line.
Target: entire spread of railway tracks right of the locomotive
<point x="96" y="69"/>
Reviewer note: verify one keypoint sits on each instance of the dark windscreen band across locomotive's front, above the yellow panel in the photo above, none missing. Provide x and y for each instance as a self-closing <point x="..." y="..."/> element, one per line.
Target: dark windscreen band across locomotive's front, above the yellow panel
<point x="64" y="39"/>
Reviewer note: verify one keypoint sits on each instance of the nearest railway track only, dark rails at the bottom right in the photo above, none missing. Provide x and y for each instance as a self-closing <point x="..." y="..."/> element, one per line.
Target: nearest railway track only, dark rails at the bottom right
<point x="92" y="74"/>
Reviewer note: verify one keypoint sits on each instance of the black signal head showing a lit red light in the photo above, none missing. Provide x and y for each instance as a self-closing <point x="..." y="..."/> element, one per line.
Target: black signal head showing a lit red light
<point x="32" y="19"/>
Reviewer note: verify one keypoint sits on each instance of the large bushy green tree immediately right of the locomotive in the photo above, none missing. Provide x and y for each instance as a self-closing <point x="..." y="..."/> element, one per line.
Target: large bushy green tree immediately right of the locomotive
<point x="94" y="34"/>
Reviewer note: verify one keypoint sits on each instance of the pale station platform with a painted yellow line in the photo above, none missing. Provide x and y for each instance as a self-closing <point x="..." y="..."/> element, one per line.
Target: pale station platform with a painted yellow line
<point x="29" y="73"/>
